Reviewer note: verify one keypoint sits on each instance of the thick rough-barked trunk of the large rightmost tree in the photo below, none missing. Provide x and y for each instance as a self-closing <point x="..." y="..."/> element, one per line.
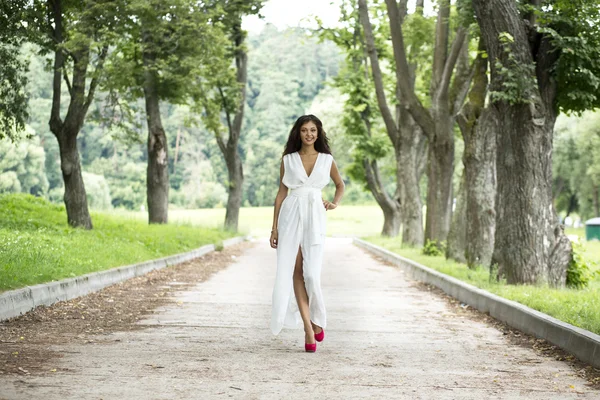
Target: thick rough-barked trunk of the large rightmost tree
<point x="530" y="245"/>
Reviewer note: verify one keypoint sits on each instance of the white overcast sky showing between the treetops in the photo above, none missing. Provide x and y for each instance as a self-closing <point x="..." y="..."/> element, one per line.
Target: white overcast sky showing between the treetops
<point x="292" y="13"/>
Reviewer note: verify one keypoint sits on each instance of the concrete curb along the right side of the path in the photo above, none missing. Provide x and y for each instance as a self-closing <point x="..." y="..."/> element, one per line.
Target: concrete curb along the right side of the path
<point x="583" y="344"/>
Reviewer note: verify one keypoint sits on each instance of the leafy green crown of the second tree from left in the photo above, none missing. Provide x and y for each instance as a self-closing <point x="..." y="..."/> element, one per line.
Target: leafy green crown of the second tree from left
<point x="177" y="43"/>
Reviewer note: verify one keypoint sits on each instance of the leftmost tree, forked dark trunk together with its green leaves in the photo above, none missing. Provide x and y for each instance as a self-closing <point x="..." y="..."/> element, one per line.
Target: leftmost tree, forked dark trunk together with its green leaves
<point x="76" y="33"/>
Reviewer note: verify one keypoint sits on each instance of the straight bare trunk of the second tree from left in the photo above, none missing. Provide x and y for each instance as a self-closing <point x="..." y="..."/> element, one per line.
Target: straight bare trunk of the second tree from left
<point x="157" y="173"/>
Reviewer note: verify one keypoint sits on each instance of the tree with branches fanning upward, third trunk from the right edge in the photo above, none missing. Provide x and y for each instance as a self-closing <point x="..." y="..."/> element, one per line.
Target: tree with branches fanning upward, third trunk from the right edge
<point x="437" y="122"/>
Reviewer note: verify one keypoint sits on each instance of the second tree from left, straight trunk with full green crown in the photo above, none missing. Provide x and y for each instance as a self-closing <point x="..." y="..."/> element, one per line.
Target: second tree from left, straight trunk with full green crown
<point x="164" y="47"/>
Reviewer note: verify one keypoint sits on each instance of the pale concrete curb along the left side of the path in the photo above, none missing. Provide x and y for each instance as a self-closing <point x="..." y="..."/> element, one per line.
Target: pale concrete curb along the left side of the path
<point x="16" y="302"/>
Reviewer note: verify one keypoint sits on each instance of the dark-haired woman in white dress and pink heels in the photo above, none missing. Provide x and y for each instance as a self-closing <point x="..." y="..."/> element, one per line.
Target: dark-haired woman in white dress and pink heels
<point x="299" y="229"/>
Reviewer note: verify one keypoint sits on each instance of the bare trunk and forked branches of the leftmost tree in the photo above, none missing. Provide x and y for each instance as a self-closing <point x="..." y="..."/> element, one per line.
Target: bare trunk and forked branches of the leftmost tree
<point x="67" y="130"/>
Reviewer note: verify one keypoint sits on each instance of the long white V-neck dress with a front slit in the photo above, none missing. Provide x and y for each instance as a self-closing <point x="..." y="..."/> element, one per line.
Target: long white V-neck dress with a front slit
<point x="301" y="223"/>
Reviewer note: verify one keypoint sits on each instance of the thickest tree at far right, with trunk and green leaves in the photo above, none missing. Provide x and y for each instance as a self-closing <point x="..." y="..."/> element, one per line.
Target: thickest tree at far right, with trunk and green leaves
<point x="542" y="60"/>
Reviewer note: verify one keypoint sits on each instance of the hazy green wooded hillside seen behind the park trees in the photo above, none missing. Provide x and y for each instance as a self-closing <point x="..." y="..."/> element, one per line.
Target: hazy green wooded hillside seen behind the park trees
<point x="291" y="72"/>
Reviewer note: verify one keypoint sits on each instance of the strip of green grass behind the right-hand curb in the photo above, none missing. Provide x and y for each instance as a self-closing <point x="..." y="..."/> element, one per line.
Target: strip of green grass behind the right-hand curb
<point x="577" y="307"/>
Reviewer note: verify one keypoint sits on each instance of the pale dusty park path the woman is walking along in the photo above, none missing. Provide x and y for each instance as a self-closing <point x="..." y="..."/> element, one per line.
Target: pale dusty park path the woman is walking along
<point x="387" y="339"/>
